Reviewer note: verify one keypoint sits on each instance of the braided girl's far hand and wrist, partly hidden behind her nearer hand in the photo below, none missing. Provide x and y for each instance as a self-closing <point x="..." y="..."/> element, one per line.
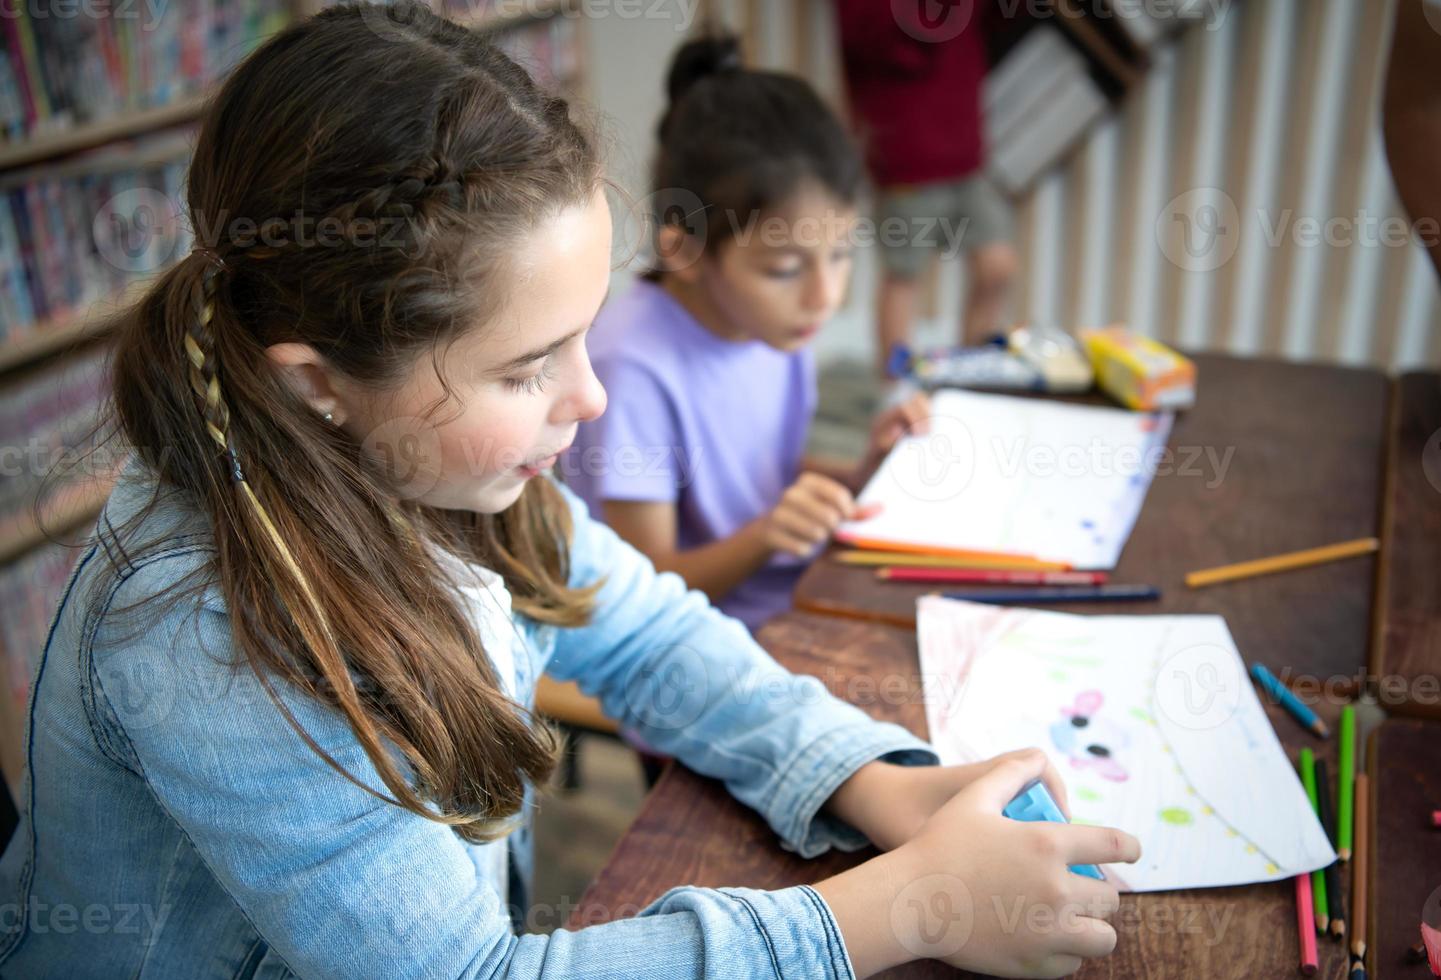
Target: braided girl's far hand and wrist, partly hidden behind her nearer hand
<point x="891" y="803"/>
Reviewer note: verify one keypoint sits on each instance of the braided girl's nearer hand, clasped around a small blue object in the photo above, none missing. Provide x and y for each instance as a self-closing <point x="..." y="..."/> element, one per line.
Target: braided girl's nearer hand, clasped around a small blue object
<point x="996" y="896"/>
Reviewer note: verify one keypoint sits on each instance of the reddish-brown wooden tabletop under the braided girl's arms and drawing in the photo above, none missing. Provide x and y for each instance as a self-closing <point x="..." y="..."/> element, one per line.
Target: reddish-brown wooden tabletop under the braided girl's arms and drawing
<point x="691" y="832"/>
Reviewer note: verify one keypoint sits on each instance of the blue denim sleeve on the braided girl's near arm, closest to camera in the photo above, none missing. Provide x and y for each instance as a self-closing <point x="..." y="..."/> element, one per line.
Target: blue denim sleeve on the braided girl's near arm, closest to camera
<point x="344" y="884"/>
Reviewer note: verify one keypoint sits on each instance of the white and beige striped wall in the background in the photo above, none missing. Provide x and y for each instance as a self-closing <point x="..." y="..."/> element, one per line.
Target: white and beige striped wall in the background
<point x="1272" y="109"/>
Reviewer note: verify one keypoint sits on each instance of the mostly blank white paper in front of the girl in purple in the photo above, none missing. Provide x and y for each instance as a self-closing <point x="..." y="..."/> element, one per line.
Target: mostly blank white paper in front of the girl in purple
<point x="1018" y="476"/>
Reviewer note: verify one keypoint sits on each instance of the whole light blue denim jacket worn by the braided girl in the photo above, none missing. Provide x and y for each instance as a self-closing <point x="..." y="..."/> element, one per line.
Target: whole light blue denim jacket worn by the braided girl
<point x="174" y="825"/>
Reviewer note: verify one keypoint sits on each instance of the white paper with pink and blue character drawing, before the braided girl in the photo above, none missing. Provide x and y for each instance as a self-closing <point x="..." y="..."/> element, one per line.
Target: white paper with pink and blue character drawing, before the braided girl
<point x="1175" y="747"/>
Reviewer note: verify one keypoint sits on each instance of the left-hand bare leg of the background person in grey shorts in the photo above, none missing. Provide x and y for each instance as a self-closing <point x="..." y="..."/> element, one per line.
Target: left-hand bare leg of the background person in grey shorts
<point x="907" y="244"/>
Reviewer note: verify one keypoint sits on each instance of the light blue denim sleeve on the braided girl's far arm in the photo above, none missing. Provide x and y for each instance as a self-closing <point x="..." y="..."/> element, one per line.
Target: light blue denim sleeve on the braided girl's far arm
<point x="694" y="684"/>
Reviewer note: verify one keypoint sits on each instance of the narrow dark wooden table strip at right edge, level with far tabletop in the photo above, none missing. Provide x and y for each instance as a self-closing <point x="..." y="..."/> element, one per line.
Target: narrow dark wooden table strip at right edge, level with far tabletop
<point x="1407" y="656"/>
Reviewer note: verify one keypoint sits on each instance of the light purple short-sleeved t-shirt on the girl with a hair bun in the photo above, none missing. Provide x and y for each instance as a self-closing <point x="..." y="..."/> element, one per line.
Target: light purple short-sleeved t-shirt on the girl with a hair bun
<point x="717" y="427"/>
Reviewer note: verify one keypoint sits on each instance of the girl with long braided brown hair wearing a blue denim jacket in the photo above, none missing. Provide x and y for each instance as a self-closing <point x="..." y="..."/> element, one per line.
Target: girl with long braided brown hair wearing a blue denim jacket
<point x="283" y="723"/>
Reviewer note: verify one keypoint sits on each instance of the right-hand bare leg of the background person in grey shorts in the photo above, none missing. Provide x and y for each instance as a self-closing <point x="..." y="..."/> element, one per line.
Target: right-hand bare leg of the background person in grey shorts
<point x="992" y="262"/>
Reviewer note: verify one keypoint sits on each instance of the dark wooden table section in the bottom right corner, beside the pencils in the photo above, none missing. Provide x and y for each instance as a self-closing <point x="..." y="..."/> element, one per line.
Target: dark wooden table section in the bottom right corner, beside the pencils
<point x="1404" y="757"/>
